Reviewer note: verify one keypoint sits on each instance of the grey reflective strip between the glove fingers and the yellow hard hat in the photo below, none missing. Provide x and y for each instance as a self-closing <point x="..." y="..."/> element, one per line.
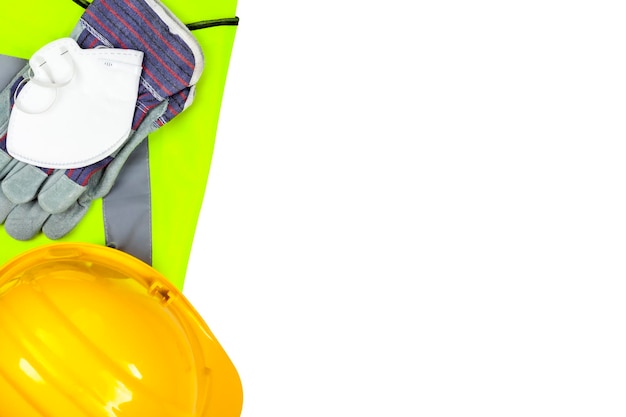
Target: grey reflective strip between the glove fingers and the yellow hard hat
<point x="127" y="208"/>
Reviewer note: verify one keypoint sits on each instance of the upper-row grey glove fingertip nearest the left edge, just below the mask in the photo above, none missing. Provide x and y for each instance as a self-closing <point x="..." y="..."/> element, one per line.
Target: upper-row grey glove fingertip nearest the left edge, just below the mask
<point x="23" y="182"/>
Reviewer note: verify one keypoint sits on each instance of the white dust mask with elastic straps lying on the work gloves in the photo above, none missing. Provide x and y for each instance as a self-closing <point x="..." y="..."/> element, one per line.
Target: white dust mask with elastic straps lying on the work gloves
<point x="78" y="106"/>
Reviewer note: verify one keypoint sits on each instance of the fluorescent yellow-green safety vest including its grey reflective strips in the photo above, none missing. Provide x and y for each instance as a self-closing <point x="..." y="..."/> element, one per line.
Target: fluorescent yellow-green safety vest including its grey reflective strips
<point x="168" y="175"/>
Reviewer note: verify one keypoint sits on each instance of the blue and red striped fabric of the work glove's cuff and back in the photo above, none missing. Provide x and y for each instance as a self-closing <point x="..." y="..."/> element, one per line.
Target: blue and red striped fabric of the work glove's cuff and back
<point x="168" y="64"/>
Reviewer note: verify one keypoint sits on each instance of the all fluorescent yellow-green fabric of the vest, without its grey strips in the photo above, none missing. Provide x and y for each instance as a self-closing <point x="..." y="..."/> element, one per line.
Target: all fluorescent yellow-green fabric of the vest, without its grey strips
<point x="184" y="146"/>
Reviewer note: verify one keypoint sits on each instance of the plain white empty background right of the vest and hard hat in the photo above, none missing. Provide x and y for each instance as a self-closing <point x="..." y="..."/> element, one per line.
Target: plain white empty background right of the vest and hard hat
<point x="417" y="208"/>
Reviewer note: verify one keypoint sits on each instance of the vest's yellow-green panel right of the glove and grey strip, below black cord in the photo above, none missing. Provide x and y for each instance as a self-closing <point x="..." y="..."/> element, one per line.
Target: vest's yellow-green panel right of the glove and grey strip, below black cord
<point x="176" y="209"/>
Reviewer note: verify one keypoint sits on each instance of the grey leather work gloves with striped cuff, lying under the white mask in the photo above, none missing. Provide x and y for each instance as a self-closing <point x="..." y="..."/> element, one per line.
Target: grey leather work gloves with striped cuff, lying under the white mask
<point x="34" y="199"/>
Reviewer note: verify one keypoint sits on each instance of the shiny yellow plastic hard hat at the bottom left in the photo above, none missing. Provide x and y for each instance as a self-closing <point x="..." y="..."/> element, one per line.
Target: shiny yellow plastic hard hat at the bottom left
<point x="90" y="331"/>
